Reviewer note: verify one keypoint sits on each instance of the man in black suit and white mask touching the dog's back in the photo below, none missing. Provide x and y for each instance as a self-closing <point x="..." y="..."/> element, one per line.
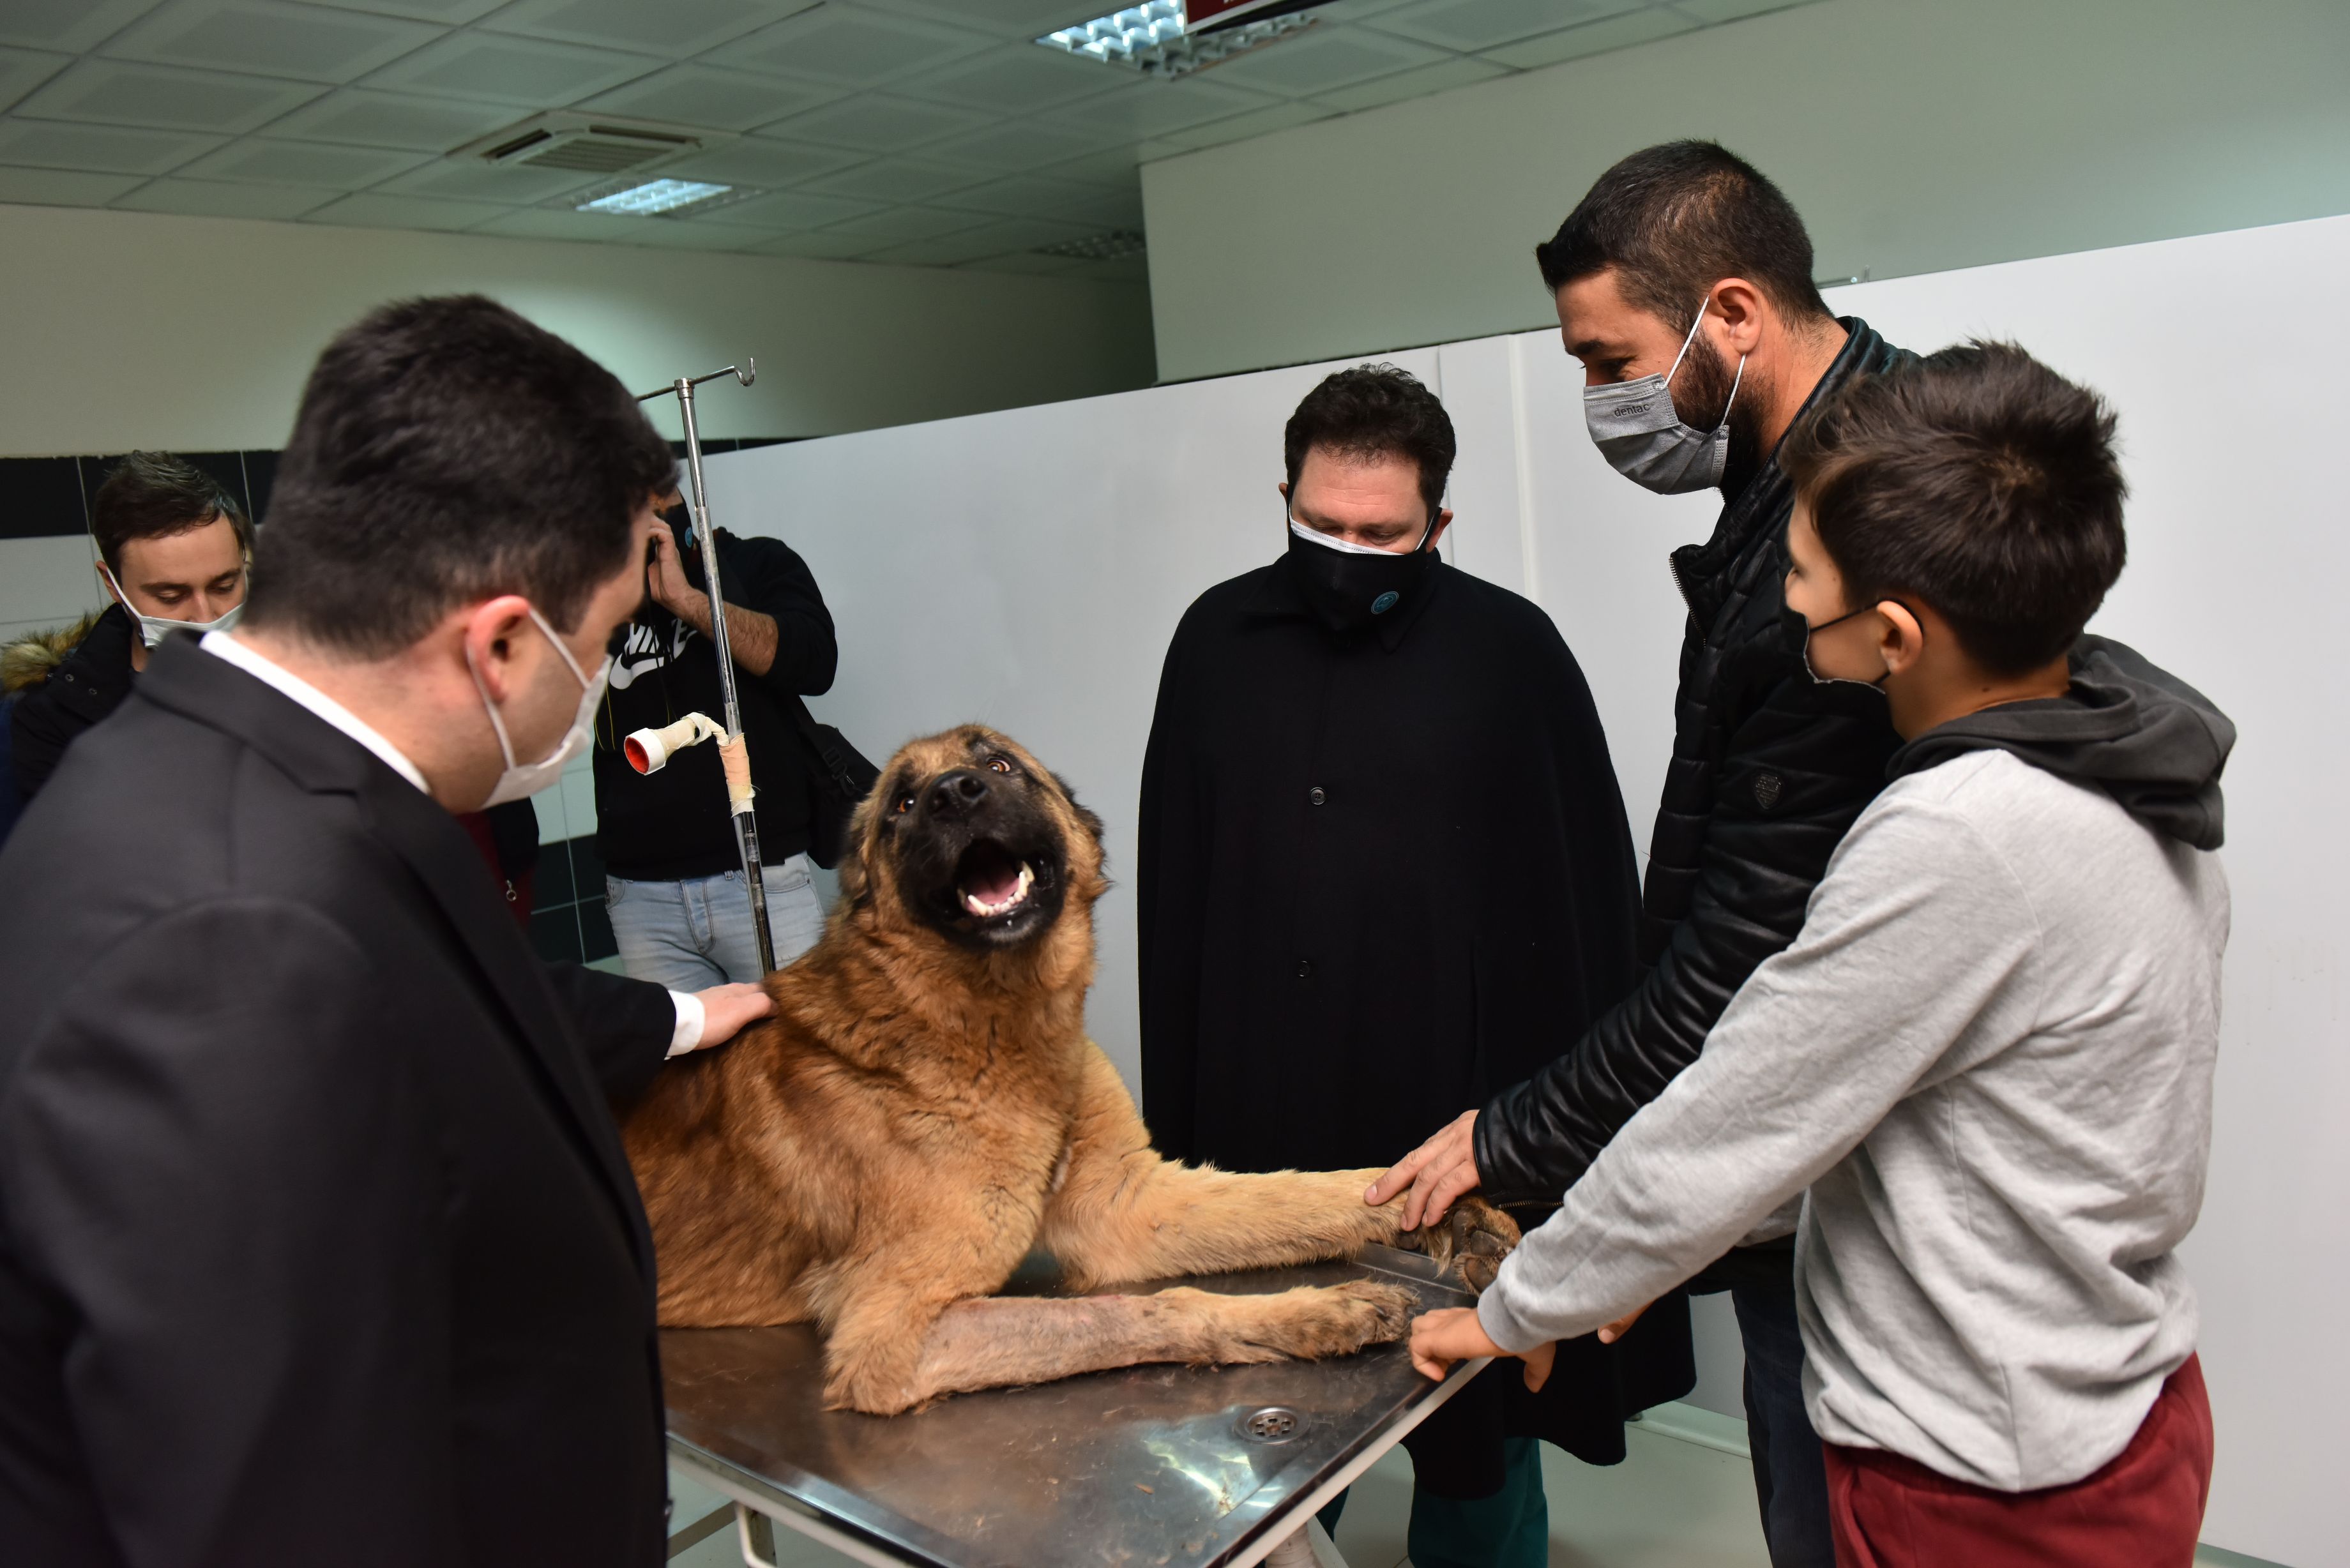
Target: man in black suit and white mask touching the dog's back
<point x="316" y="1235"/>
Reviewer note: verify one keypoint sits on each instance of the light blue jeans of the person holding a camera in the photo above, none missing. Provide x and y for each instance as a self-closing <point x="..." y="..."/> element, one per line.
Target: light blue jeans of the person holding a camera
<point x="697" y="934"/>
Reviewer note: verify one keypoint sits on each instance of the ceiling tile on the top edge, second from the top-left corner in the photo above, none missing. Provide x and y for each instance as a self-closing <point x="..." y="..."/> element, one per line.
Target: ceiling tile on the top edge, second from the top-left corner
<point x="271" y="39"/>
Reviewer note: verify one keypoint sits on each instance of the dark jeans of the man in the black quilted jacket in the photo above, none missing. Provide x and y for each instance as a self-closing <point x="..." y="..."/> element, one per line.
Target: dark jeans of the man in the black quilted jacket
<point x="1792" y="1473"/>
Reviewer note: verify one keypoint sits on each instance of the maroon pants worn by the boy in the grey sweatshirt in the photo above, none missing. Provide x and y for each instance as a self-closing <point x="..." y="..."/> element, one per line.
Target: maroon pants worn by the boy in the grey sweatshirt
<point x="2142" y="1510"/>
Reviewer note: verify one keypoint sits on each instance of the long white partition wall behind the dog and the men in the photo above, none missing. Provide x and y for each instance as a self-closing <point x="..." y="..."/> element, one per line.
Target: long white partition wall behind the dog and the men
<point x="1028" y="568"/>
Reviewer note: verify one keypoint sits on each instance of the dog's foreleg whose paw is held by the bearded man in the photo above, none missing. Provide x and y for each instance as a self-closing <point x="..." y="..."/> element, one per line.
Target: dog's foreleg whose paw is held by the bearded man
<point x="1127" y="1214"/>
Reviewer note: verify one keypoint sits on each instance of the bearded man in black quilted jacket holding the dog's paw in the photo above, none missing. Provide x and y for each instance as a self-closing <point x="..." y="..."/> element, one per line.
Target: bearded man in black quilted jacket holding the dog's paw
<point x="1684" y="286"/>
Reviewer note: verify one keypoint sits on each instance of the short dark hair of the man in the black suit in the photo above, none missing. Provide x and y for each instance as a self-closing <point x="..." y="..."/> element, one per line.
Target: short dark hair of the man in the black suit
<point x="448" y="453"/>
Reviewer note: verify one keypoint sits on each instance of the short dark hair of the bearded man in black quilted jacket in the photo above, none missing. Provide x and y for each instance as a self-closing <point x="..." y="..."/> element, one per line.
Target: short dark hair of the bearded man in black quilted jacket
<point x="1679" y="217"/>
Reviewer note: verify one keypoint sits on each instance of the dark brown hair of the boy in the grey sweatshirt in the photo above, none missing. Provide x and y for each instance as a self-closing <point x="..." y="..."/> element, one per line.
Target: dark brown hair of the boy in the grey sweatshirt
<point x="1978" y="481"/>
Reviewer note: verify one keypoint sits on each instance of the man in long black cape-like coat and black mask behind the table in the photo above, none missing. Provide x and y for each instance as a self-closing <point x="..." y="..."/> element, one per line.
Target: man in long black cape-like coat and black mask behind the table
<point x="1383" y="862"/>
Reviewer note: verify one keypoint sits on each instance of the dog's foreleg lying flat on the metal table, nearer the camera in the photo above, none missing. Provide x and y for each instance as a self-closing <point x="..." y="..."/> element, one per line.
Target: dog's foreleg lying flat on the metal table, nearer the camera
<point x="1005" y="1341"/>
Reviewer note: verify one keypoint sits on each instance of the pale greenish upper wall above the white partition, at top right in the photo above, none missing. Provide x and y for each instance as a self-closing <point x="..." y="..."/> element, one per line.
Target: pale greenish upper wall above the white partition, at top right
<point x="1912" y="135"/>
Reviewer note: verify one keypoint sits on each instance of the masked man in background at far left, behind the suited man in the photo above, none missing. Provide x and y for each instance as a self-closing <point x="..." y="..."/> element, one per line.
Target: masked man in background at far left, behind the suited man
<point x="173" y="551"/>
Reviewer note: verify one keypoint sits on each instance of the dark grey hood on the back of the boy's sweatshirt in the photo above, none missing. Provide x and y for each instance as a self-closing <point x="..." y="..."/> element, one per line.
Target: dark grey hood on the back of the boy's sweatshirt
<point x="2126" y="728"/>
